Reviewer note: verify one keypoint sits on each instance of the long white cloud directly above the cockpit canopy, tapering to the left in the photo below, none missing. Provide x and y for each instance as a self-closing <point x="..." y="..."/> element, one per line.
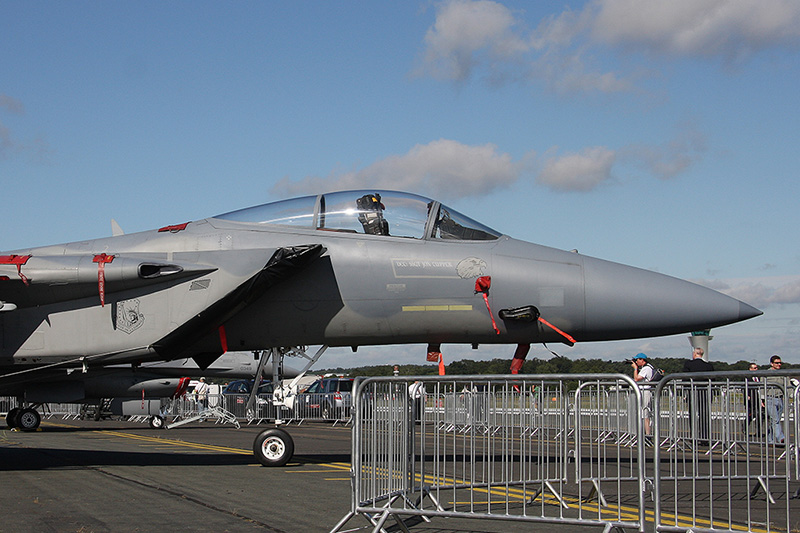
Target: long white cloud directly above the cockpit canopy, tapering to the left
<point x="444" y="168"/>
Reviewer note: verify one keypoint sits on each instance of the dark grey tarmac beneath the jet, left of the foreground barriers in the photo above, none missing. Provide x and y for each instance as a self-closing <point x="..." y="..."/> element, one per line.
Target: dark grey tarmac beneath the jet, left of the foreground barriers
<point x="121" y="476"/>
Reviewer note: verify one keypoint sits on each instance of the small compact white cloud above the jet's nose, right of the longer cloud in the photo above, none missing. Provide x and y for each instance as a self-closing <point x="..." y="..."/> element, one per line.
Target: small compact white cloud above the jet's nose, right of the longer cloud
<point x="582" y="171"/>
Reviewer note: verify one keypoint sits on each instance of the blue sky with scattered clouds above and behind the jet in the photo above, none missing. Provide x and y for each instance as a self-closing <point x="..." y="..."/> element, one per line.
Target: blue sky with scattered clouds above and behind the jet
<point x="658" y="134"/>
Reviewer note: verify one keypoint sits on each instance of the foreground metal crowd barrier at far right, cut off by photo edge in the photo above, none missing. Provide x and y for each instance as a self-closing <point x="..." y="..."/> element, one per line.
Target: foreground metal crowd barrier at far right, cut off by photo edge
<point x="721" y="445"/>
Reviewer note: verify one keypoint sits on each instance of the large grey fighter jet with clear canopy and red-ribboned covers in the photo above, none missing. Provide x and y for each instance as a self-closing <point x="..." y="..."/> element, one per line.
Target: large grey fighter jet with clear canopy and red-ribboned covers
<point x="351" y="268"/>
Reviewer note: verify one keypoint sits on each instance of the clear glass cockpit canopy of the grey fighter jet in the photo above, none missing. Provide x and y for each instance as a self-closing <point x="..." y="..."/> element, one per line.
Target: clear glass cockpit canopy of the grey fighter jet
<point x="386" y="213"/>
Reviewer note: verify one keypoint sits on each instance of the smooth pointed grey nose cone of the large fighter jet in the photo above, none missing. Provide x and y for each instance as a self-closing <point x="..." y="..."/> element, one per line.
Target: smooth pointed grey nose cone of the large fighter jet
<point x="628" y="302"/>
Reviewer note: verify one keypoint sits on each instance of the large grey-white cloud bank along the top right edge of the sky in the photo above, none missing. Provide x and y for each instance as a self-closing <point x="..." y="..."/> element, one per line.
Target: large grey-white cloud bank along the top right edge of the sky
<point x="470" y="36"/>
